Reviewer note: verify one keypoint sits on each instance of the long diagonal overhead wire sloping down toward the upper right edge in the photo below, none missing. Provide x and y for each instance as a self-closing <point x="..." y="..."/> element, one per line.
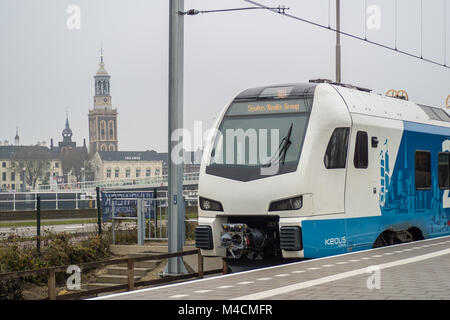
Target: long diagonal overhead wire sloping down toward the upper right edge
<point x="395" y="49"/>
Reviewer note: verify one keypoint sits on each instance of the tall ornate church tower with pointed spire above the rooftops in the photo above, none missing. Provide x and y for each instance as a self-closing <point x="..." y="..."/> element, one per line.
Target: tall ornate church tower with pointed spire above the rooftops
<point x="103" y="117"/>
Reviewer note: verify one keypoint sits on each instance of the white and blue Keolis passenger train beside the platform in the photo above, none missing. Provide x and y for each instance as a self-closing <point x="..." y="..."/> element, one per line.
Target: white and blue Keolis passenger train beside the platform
<point x="352" y="170"/>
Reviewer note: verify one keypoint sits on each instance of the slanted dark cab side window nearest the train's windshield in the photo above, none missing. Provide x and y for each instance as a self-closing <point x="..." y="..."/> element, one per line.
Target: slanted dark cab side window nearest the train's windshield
<point x="336" y="153"/>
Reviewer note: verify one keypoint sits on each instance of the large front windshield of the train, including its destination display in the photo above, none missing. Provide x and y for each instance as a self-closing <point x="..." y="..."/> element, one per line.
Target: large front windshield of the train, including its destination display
<point x="260" y="138"/>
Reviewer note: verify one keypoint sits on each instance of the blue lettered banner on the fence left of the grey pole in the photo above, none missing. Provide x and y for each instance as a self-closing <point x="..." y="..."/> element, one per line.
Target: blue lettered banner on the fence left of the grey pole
<point x="124" y="206"/>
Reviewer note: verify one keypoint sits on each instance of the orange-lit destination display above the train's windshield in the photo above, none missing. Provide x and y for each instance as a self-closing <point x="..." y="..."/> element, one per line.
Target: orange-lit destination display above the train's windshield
<point x="267" y="107"/>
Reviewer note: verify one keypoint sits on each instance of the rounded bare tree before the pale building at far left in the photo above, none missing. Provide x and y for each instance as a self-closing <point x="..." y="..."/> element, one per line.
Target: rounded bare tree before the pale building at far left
<point x="35" y="160"/>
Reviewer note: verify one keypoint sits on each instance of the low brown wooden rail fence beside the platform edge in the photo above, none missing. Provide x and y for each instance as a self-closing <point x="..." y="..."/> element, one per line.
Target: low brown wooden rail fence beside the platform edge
<point x="131" y="284"/>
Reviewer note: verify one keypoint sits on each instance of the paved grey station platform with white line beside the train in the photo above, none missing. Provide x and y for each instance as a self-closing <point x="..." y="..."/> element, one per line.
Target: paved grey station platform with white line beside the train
<point x="413" y="271"/>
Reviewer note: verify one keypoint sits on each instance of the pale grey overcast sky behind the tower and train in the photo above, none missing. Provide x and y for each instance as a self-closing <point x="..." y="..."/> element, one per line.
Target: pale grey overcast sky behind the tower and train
<point x="47" y="68"/>
